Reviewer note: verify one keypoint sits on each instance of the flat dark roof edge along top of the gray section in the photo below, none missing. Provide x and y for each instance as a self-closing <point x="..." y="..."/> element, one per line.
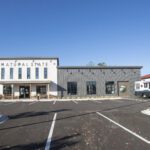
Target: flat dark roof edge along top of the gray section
<point x="100" y="67"/>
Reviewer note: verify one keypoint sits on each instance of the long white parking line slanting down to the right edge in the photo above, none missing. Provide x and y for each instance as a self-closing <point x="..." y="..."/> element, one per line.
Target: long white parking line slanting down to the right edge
<point x="131" y="132"/>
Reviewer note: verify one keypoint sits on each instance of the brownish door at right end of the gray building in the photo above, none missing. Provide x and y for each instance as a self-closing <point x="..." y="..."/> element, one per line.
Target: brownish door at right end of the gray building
<point x="123" y="88"/>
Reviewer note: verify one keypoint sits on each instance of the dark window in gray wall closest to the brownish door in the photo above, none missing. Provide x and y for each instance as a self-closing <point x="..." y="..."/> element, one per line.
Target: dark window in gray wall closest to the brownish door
<point x="110" y="87"/>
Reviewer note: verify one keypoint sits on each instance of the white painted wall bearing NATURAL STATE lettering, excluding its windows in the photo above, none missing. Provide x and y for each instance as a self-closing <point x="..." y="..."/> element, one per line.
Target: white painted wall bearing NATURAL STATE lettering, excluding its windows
<point x="33" y="63"/>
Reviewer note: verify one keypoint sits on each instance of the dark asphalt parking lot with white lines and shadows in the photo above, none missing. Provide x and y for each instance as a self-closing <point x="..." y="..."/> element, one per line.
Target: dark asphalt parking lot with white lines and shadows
<point x="75" y="125"/>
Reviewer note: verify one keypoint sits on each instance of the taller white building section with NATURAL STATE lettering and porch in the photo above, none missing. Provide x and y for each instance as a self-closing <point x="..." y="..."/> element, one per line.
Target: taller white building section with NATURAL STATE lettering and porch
<point x="28" y="76"/>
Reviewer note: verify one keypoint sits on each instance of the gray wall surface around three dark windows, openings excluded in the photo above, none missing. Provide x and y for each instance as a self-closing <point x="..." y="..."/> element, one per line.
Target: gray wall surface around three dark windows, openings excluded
<point x="82" y="75"/>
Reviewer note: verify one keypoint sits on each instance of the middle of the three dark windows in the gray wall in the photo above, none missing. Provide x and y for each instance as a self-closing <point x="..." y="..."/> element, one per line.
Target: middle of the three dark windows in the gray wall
<point x="91" y="87"/>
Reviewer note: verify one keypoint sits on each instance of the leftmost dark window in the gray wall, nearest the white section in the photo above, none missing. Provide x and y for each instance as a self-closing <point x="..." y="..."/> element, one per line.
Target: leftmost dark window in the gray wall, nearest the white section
<point x="72" y="88"/>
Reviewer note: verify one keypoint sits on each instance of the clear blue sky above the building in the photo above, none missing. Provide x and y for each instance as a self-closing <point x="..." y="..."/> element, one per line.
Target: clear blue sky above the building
<point x="116" y="32"/>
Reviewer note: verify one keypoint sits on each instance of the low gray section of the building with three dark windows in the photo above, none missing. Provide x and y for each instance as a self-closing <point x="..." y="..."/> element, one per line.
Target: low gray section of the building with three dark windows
<point x="97" y="81"/>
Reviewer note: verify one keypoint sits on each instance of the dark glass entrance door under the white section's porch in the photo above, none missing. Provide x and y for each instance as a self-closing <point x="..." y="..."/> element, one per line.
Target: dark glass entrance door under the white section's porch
<point x="24" y="92"/>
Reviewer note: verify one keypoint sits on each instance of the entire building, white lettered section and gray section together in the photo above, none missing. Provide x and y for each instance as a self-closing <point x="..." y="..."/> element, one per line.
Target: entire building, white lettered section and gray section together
<point x="31" y="77"/>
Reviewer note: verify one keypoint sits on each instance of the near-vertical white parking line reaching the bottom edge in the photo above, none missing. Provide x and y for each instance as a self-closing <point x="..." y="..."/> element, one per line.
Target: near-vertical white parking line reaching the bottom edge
<point x="49" y="139"/>
